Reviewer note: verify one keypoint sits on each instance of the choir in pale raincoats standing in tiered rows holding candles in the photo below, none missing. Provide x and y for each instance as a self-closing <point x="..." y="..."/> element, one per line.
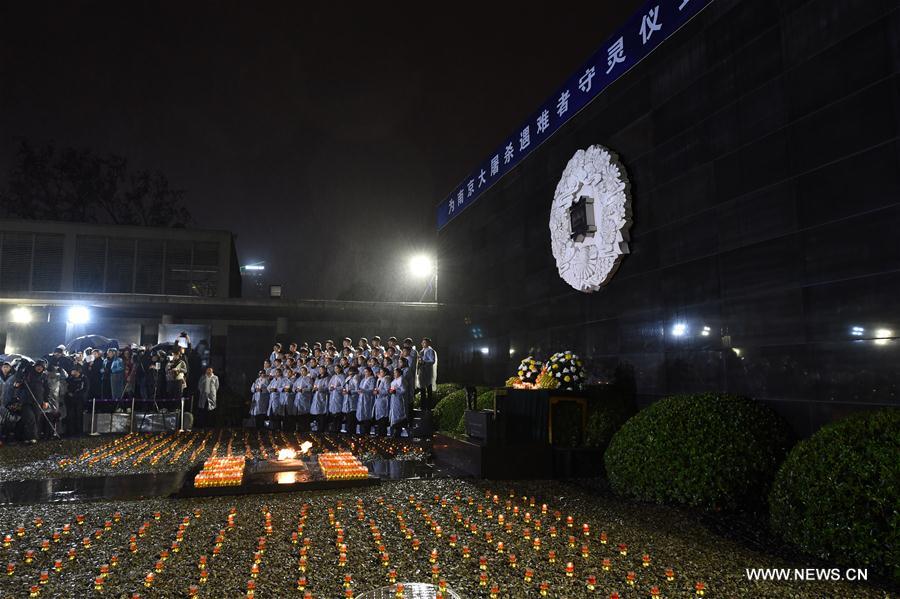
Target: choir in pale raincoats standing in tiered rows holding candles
<point x="357" y="388"/>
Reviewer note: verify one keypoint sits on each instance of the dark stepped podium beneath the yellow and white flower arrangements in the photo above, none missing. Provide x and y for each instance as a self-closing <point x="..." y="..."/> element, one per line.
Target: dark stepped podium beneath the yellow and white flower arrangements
<point x="514" y="439"/>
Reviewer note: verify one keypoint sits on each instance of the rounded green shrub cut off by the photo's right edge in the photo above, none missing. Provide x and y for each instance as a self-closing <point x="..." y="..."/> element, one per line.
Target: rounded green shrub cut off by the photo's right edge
<point x="837" y="495"/>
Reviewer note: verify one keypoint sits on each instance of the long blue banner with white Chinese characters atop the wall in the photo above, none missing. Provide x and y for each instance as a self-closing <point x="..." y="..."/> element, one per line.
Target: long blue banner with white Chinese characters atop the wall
<point x="631" y="43"/>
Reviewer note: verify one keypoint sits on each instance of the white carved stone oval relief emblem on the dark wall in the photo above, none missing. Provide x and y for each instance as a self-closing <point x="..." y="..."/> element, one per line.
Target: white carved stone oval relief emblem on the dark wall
<point x="590" y="218"/>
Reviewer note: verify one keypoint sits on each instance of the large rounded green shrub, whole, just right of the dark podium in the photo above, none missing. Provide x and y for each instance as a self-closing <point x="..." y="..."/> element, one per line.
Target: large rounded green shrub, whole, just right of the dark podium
<point x="709" y="451"/>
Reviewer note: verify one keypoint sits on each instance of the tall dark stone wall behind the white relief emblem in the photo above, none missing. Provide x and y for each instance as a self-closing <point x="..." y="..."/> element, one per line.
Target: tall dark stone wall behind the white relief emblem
<point x="761" y="142"/>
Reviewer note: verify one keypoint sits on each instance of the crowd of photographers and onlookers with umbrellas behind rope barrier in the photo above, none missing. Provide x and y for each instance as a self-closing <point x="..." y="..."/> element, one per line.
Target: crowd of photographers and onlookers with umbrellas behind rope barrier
<point x="49" y="396"/>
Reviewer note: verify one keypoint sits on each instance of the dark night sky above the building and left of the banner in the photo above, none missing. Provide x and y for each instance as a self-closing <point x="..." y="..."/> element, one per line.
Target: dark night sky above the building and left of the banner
<point x="323" y="136"/>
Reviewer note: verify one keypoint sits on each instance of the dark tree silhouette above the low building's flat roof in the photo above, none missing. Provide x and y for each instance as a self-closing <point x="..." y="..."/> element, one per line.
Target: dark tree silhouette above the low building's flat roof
<point x="80" y="185"/>
